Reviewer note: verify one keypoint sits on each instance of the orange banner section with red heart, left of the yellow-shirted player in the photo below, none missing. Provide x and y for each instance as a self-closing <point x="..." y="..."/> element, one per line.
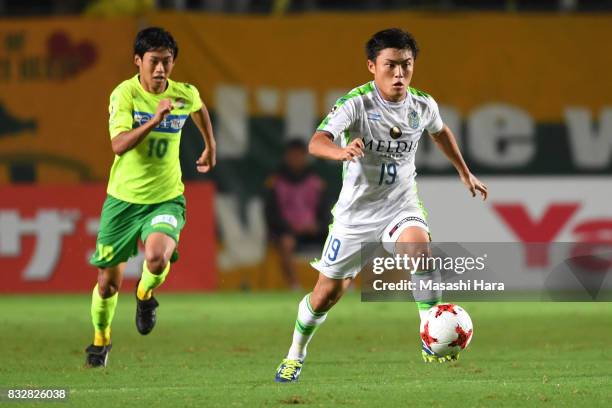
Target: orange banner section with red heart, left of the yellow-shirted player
<point x="55" y="79"/>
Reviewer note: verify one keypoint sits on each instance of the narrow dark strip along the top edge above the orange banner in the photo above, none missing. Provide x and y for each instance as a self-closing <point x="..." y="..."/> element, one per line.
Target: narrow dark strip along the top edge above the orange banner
<point x="281" y="7"/>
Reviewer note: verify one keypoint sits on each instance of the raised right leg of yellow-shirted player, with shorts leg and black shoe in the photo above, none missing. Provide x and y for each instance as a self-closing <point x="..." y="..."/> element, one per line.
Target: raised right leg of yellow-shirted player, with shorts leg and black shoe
<point x="160" y="233"/>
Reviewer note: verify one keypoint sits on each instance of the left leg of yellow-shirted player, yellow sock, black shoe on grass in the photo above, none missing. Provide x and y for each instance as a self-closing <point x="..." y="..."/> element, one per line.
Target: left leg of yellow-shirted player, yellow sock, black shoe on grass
<point x="103" y="304"/>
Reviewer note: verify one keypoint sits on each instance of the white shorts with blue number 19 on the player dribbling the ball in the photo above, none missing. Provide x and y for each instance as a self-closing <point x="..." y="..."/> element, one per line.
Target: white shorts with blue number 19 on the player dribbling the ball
<point x="341" y="257"/>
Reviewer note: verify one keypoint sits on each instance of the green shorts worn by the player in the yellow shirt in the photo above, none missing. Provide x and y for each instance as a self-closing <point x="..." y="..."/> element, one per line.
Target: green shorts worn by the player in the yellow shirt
<point x="123" y="223"/>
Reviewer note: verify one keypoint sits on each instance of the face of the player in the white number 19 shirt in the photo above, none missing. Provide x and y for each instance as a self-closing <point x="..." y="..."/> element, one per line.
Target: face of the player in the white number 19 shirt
<point x="392" y="72"/>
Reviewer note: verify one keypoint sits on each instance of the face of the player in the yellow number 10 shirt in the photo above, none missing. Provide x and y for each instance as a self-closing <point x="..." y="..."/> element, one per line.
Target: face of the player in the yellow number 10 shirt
<point x="155" y="67"/>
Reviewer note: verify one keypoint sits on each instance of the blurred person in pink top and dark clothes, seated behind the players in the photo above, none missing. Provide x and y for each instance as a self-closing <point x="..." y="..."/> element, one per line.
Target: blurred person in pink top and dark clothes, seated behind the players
<point x="296" y="207"/>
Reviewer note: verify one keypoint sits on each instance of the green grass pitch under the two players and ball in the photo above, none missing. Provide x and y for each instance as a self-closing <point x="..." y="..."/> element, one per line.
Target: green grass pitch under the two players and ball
<point x="222" y="350"/>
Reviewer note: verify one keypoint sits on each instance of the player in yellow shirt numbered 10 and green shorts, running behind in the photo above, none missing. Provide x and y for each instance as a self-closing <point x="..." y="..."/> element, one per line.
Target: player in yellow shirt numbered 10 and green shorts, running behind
<point x="145" y="192"/>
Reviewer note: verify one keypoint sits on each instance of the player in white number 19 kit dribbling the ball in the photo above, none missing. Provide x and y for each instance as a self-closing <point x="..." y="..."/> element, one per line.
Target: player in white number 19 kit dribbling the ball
<point x="377" y="126"/>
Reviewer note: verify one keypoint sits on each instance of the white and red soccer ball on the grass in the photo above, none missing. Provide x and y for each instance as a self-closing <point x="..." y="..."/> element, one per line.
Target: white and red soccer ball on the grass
<point x="447" y="329"/>
